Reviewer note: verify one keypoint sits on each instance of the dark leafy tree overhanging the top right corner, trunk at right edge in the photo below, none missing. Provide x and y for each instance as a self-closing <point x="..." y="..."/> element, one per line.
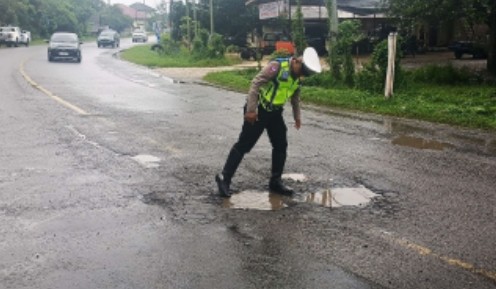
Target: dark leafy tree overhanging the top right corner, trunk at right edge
<point x="412" y="12"/>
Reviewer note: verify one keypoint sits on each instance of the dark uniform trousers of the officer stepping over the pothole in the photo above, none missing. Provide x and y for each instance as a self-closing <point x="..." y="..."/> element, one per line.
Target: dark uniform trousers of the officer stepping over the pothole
<point x="273" y="122"/>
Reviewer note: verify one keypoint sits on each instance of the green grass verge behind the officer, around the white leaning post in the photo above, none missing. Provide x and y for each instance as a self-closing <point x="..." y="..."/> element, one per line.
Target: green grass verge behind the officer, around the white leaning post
<point x="464" y="105"/>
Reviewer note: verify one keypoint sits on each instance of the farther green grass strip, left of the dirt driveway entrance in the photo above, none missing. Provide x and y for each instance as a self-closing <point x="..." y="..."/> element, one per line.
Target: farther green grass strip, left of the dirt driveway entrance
<point x="143" y="55"/>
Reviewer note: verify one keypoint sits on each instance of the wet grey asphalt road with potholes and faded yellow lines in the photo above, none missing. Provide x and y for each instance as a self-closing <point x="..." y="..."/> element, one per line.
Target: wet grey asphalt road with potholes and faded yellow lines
<point x="107" y="181"/>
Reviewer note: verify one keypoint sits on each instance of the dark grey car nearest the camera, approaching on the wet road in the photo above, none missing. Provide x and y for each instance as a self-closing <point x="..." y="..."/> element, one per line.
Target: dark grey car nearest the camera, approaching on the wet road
<point x="64" y="46"/>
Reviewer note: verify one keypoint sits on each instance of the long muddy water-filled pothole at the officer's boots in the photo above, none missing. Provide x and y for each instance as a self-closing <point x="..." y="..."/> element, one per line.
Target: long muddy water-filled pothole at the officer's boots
<point x="331" y="198"/>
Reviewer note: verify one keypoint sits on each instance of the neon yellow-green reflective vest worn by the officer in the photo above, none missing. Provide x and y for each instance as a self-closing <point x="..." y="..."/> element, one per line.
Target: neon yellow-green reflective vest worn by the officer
<point x="282" y="87"/>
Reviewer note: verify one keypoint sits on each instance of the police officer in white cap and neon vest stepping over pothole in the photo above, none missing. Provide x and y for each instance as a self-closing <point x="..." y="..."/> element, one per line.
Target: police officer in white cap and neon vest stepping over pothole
<point x="270" y="89"/>
